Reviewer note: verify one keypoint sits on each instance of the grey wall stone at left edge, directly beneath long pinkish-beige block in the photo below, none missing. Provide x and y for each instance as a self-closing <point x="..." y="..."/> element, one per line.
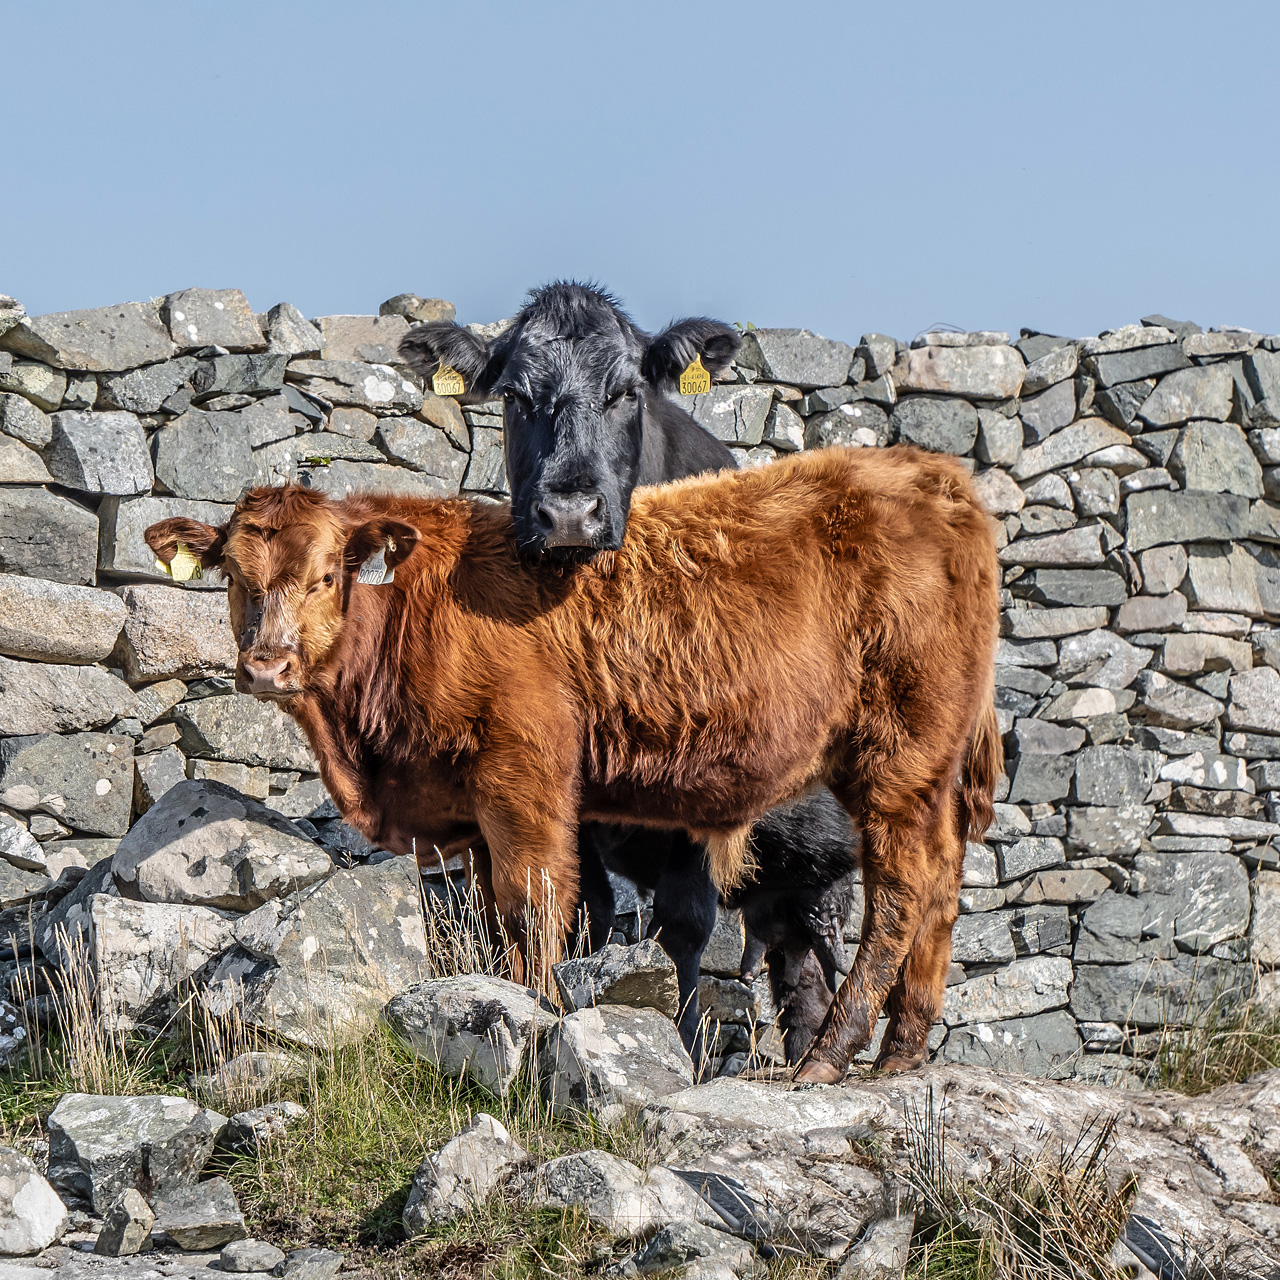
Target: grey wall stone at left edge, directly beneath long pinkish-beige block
<point x="49" y="698"/>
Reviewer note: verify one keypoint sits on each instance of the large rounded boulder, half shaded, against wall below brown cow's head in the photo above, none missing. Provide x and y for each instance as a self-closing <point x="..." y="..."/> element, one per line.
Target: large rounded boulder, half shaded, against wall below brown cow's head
<point x="205" y="844"/>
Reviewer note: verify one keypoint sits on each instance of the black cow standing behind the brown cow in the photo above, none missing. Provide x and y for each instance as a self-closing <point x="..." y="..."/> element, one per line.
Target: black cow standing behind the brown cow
<point x="587" y="420"/>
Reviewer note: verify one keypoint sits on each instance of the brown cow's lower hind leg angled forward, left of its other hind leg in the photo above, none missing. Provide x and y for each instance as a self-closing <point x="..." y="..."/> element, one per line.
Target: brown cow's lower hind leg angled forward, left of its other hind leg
<point x="893" y="870"/>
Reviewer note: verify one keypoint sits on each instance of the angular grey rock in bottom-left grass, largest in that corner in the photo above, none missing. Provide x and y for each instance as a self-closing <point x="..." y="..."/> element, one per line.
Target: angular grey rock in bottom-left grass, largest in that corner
<point x="99" y="1146"/>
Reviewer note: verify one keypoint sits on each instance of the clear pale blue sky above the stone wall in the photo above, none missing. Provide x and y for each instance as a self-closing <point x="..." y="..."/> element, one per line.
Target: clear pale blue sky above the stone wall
<point x="843" y="167"/>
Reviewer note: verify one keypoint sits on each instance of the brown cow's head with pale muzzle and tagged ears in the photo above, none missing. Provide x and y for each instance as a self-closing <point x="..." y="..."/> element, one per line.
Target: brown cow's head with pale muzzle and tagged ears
<point x="290" y="557"/>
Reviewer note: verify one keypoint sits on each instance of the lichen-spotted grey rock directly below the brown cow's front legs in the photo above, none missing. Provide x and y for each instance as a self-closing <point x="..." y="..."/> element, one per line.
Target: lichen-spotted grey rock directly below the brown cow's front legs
<point x="472" y="1027"/>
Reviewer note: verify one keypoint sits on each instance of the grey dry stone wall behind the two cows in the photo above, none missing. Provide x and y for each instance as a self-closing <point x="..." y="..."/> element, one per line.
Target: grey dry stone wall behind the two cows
<point x="1135" y="481"/>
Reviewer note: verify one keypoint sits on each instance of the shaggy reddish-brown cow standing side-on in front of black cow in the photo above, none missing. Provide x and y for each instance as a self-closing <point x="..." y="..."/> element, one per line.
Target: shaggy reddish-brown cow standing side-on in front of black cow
<point x="830" y="619"/>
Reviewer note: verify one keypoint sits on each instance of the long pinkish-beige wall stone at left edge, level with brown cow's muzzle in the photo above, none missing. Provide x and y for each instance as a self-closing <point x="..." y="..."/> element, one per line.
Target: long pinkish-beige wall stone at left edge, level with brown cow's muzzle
<point x="56" y="621"/>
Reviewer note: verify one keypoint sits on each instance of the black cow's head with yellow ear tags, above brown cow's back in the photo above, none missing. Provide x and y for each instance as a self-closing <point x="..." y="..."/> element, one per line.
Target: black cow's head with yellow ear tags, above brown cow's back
<point x="577" y="380"/>
